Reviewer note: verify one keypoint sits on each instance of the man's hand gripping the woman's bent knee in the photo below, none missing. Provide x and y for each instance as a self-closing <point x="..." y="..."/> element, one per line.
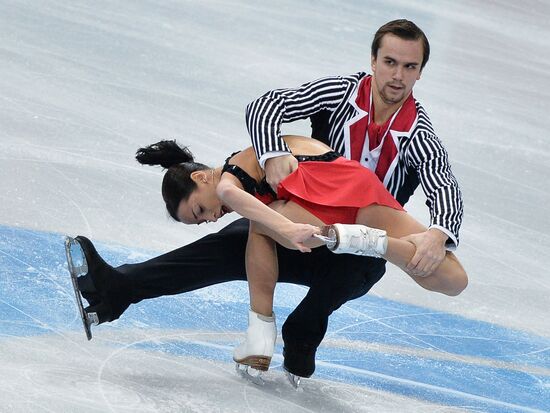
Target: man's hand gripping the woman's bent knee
<point x="430" y="251"/>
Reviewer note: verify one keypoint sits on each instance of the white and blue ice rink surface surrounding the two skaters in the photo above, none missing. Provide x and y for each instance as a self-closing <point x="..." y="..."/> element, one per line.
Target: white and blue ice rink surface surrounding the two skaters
<point x="84" y="84"/>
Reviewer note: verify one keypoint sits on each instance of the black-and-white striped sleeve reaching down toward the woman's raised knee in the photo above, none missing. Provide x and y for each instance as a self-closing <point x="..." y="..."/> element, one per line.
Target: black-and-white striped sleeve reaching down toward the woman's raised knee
<point x="444" y="198"/>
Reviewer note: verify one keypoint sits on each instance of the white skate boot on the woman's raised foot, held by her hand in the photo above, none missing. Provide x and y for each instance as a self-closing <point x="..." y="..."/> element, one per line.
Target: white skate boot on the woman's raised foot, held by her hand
<point x="354" y="239"/>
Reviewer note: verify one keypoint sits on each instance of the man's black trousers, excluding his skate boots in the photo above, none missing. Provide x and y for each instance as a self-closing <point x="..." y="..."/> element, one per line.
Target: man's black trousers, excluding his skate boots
<point x="333" y="279"/>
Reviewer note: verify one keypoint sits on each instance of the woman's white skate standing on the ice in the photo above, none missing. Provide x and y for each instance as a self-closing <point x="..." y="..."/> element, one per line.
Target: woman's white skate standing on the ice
<point x="256" y="351"/>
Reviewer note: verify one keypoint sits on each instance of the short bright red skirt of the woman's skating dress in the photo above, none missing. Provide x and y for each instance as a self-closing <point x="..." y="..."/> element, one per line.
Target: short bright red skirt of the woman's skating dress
<point x="334" y="191"/>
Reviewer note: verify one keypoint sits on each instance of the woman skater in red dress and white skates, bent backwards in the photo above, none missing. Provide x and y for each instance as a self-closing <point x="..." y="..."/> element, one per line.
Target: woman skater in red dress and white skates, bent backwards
<point x="327" y="200"/>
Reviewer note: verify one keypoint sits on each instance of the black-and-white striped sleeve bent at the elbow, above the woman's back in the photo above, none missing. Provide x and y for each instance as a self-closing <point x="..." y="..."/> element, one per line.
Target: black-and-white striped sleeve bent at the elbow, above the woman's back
<point x="265" y="115"/>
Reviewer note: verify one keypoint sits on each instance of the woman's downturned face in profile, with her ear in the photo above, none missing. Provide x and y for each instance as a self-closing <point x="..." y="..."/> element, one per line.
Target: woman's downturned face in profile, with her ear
<point x="203" y="205"/>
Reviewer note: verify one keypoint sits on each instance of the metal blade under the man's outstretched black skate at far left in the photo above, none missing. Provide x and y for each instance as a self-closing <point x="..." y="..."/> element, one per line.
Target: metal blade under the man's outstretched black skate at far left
<point x="78" y="266"/>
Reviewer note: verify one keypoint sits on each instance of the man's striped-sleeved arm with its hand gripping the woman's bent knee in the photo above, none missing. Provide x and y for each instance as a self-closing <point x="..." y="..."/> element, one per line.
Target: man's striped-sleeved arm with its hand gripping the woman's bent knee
<point x="444" y="200"/>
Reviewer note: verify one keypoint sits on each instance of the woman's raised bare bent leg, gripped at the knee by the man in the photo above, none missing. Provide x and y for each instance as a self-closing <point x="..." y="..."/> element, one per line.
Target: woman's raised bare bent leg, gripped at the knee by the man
<point x="449" y="278"/>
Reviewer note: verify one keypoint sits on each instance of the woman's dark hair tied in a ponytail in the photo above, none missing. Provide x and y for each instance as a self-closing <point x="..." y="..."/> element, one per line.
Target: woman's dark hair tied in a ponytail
<point x="177" y="184"/>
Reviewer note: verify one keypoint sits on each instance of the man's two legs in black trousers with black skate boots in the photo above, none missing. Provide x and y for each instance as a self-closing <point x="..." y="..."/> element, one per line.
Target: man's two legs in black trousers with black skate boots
<point x="216" y="258"/>
